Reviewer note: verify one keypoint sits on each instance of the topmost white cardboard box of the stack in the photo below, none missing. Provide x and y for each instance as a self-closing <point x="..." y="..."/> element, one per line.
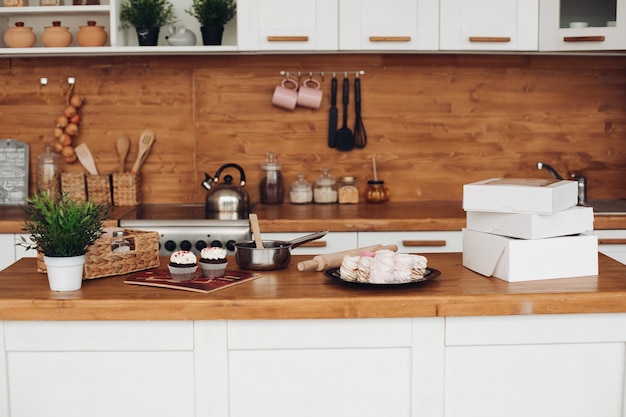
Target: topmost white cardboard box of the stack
<point x="520" y="195"/>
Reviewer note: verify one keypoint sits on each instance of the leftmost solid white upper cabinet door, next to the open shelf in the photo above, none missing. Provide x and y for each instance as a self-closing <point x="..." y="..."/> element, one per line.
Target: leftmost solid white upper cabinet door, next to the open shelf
<point x="287" y="25"/>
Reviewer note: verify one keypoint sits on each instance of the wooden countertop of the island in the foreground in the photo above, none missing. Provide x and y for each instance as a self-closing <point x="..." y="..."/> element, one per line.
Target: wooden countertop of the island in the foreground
<point x="290" y="294"/>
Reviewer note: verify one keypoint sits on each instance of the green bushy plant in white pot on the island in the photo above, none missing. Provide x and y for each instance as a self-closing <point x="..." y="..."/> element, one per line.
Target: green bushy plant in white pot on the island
<point x="62" y="231"/>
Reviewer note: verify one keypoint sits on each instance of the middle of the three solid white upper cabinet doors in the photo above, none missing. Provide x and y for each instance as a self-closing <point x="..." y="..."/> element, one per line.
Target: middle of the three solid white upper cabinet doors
<point x="376" y="25"/>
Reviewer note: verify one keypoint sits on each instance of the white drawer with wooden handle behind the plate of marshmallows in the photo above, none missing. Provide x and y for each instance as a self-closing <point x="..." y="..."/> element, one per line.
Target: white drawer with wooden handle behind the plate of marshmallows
<point x="416" y="242"/>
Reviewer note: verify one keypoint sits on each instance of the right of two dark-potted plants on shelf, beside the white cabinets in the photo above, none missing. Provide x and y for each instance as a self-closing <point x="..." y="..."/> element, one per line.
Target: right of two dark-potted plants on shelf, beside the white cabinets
<point x="212" y="15"/>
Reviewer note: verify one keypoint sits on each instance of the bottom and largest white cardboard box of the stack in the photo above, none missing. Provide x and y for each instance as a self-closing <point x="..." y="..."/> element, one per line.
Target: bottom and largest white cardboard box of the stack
<point x="516" y="260"/>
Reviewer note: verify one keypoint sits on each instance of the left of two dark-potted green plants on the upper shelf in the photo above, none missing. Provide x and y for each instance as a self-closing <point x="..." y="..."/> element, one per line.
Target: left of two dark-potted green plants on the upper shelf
<point x="147" y="16"/>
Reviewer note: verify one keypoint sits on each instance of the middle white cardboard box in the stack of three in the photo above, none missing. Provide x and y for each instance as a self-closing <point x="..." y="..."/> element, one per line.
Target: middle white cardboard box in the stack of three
<point x="571" y="221"/>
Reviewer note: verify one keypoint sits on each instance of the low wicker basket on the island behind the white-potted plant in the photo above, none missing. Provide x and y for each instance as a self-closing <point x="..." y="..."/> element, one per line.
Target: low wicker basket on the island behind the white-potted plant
<point x="101" y="262"/>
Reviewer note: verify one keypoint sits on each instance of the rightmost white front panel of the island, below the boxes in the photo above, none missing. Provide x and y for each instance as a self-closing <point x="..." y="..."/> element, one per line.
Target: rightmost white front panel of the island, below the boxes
<point x="570" y="365"/>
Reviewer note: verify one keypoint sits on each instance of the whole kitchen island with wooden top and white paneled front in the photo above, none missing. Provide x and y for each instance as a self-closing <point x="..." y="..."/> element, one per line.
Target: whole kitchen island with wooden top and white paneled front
<point x="296" y="343"/>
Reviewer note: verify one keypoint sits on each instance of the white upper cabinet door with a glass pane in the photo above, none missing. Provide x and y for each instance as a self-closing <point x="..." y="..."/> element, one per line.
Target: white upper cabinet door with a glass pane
<point x="582" y="25"/>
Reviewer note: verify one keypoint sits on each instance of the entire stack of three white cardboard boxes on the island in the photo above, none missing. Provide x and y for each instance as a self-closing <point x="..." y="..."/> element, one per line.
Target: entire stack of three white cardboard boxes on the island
<point x="527" y="230"/>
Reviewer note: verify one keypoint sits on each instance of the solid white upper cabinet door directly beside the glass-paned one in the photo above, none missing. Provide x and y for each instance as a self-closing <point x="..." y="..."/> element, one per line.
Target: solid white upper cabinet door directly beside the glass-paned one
<point x="489" y="25"/>
